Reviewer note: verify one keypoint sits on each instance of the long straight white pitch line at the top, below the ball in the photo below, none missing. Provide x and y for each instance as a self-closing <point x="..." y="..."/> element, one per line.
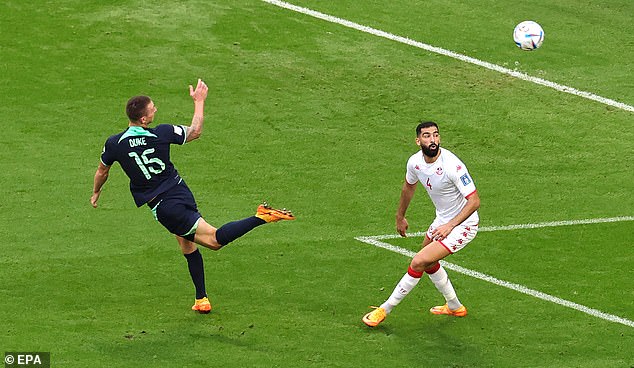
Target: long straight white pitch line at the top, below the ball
<point x="455" y="55"/>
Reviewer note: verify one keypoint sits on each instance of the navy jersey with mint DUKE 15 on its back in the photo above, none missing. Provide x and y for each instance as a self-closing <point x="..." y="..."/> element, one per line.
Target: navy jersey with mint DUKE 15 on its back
<point x="144" y="155"/>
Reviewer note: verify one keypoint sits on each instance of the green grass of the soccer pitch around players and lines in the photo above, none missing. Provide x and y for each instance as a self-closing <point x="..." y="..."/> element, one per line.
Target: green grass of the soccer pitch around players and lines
<point x="318" y="118"/>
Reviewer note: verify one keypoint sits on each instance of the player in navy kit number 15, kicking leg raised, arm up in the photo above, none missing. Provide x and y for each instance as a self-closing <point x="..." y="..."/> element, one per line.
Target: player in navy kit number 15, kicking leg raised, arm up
<point x="144" y="155"/>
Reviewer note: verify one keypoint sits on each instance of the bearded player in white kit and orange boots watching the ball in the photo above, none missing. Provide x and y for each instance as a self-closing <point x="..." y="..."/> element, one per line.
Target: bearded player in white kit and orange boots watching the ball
<point x="454" y="195"/>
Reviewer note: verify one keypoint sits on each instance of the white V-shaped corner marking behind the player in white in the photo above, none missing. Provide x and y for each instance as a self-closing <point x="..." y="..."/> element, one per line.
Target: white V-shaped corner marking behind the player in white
<point x="376" y="241"/>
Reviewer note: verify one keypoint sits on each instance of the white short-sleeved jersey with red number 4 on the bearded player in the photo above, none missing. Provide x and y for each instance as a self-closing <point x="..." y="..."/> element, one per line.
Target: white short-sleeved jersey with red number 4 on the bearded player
<point x="447" y="182"/>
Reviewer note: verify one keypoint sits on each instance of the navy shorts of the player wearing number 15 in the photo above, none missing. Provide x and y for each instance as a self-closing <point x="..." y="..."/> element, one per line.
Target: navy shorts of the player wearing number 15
<point x="176" y="210"/>
